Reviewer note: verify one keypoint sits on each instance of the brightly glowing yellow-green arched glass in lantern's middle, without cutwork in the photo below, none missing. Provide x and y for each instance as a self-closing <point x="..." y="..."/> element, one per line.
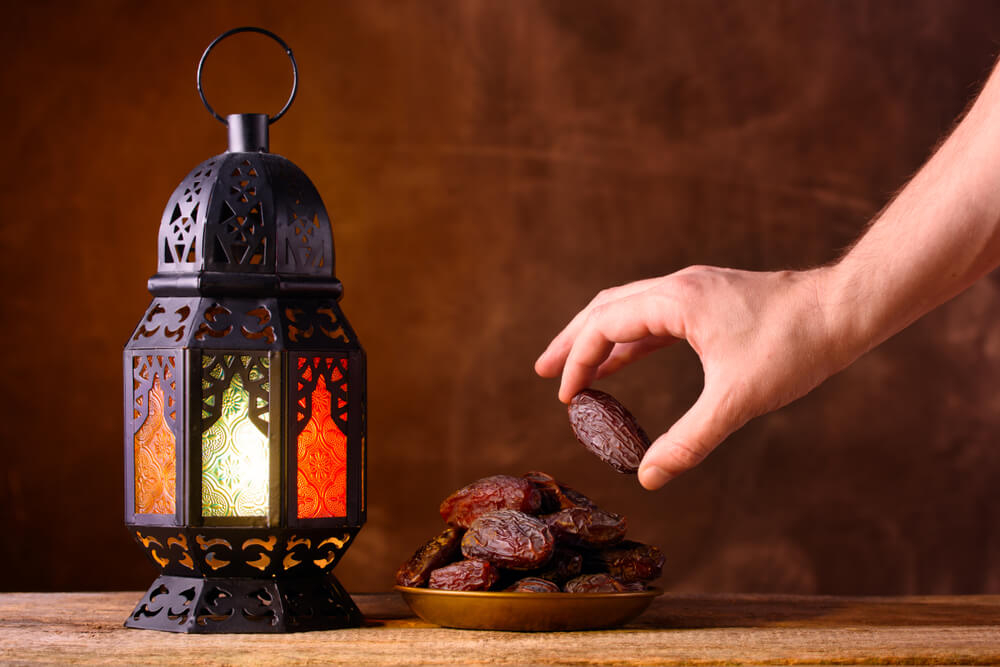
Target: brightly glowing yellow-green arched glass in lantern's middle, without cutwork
<point x="235" y="462"/>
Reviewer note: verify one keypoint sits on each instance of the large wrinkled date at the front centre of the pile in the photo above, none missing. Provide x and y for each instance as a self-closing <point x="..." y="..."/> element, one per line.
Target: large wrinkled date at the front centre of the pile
<point x="510" y="539"/>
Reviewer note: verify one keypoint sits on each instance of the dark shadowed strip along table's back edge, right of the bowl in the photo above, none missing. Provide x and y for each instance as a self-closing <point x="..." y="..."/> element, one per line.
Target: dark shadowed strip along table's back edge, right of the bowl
<point x="726" y="611"/>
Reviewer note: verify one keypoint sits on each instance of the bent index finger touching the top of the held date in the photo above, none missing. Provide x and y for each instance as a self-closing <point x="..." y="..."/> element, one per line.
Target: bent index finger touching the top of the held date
<point x="627" y="320"/>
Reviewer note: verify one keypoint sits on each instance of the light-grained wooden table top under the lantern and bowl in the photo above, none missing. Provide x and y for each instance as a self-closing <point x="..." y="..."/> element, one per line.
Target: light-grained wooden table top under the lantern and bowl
<point x="677" y="629"/>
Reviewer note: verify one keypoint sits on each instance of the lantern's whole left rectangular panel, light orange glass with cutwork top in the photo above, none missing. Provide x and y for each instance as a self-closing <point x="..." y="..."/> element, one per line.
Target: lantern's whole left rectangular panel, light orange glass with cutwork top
<point x="155" y="445"/>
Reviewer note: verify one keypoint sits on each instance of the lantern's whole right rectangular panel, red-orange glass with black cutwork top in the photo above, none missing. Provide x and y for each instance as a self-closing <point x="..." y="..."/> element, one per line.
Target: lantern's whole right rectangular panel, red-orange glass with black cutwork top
<point x="322" y="443"/>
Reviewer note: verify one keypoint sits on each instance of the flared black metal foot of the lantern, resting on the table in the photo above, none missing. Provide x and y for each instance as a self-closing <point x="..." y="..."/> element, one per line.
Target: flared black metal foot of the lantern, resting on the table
<point x="236" y="605"/>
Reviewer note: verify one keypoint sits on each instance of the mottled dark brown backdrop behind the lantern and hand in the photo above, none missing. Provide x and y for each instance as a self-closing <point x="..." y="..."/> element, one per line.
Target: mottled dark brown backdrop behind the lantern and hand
<point x="489" y="166"/>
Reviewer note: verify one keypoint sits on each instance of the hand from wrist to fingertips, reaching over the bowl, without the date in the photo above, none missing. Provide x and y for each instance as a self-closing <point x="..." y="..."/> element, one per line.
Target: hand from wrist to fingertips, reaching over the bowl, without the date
<point x="764" y="340"/>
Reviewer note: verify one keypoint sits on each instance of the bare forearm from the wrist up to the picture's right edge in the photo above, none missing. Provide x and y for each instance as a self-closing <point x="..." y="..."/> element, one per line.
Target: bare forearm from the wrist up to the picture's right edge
<point x="937" y="237"/>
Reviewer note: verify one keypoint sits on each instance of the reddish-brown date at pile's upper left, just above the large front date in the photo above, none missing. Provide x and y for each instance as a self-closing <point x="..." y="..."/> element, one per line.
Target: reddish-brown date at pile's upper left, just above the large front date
<point x="488" y="494"/>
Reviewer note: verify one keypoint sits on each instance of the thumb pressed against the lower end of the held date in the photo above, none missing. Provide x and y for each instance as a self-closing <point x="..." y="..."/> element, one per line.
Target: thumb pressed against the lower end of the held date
<point x="693" y="437"/>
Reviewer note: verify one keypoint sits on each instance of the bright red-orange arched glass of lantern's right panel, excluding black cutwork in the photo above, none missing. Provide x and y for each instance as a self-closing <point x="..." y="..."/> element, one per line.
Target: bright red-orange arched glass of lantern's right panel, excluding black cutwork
<point x="322" y="461"/>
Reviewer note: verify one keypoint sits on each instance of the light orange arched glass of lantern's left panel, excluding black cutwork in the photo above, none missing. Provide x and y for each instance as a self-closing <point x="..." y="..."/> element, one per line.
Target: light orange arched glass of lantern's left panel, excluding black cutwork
<point x="155" y="459"/>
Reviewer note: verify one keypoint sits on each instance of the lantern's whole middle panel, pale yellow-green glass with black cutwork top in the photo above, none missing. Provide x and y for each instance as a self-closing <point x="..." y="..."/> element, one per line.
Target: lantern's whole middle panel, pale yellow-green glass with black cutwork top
<point x="235" y="456"/>
